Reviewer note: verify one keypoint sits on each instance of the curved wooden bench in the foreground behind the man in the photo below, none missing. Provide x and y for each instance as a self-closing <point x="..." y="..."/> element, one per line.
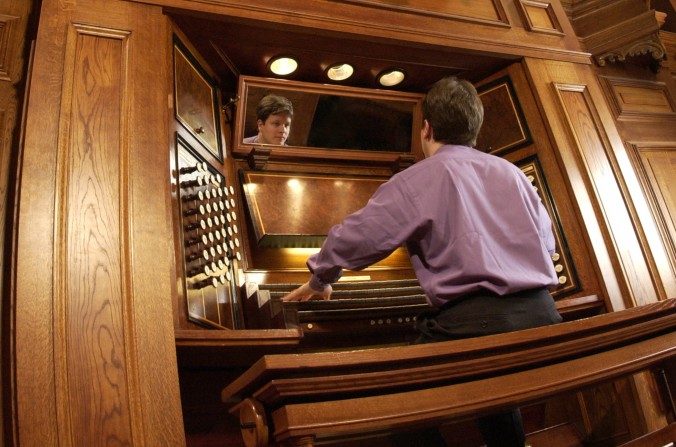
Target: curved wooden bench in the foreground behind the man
<point x="300" y="399"/>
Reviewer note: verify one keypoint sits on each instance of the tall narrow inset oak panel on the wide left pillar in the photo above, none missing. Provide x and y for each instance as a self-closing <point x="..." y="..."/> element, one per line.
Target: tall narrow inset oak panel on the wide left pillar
<point x="92" y="275"/>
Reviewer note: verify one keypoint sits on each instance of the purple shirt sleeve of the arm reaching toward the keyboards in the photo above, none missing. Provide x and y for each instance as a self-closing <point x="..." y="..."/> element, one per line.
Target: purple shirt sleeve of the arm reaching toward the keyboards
<point x="389" y="219"/>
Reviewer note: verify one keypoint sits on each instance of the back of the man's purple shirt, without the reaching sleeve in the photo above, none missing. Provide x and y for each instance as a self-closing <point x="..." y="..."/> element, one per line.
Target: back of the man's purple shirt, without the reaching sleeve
<point x="484" y="226"/>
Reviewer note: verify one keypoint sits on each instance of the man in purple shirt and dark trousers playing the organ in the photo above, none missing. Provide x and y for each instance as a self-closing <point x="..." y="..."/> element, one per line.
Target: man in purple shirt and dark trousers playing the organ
<point x="478" y="236"/>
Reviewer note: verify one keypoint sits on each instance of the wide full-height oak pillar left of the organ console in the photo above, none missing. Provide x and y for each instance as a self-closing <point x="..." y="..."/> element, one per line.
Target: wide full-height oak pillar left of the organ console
<point x="93" y="317"/>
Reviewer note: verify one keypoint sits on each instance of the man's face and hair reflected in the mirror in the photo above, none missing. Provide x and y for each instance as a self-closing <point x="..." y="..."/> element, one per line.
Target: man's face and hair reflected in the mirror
<point x="274" y="114"/>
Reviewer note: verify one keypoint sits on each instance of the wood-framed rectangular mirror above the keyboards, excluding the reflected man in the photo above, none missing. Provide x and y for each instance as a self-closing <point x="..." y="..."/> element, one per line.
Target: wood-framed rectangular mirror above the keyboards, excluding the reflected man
<point x="333" y="118"/>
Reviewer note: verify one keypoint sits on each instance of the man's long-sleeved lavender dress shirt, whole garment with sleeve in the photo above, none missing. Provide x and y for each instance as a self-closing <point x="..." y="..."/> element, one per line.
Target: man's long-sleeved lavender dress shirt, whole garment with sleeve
<point x="470" y="221"/>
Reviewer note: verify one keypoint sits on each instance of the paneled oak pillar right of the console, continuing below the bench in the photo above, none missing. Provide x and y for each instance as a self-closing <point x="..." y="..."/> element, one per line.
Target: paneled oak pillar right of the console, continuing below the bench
<point x="597" y="169"/>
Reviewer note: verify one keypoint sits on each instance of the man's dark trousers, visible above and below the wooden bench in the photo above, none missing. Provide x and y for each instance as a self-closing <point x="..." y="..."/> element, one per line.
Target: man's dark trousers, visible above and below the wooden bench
<point x="473" y="316"/>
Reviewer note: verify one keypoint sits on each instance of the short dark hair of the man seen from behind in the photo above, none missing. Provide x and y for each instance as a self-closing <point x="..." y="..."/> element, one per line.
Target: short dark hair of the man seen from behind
<point x="454" y="110"/>
